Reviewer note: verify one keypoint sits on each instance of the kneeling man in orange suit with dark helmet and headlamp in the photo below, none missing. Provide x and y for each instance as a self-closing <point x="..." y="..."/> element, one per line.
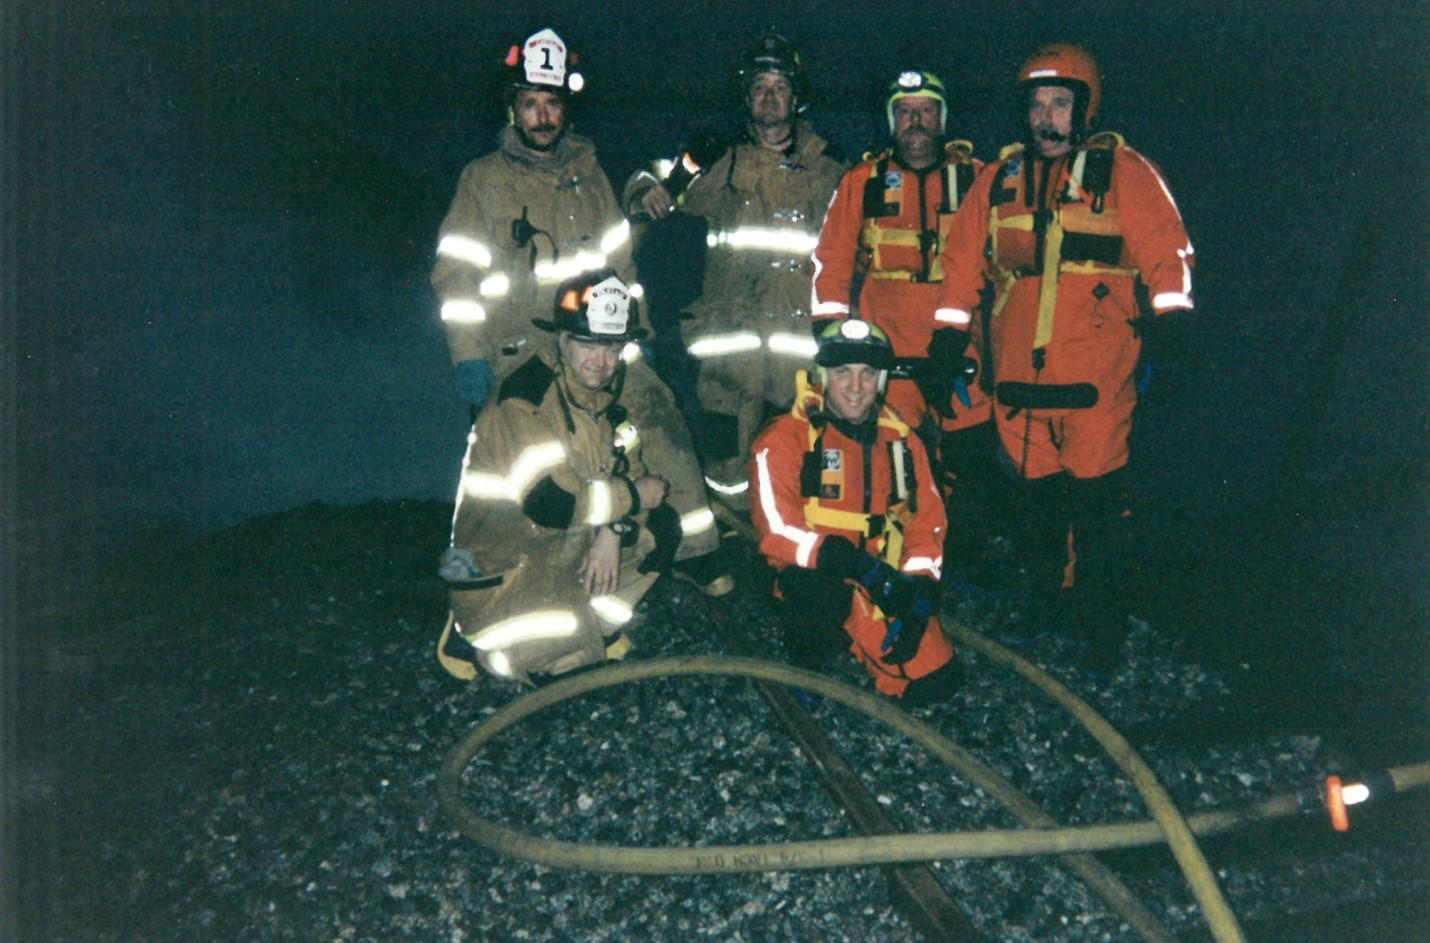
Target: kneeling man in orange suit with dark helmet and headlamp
<point x="850" y="514"/>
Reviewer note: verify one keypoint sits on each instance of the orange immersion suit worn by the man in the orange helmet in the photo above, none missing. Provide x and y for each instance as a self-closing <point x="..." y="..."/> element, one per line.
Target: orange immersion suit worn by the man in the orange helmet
<point x="1065" y="353"/>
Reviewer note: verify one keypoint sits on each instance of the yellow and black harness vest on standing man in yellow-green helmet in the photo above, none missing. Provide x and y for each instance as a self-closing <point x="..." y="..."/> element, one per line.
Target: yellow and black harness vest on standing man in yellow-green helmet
<point x="927" y="244"/>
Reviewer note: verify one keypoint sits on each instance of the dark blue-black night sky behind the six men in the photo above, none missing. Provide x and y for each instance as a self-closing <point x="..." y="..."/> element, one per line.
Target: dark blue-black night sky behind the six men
<point x="221" y="218"/>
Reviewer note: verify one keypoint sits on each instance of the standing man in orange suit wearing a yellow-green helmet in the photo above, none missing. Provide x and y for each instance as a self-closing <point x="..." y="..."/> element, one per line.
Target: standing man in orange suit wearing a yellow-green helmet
<point x="887" y="225"/>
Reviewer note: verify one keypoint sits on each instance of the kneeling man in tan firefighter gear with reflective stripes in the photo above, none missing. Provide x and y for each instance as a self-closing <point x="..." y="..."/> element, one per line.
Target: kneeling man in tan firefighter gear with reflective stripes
<point x="560" y="527"/>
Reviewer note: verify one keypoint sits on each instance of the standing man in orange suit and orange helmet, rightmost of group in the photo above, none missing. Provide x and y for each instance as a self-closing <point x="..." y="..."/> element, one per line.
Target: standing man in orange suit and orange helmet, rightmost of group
<point x="1065" y="350"/>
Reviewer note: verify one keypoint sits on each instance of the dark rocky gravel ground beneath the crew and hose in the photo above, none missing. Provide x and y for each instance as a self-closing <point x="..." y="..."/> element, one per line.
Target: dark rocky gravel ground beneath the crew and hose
<point x="237" y="738"/>
